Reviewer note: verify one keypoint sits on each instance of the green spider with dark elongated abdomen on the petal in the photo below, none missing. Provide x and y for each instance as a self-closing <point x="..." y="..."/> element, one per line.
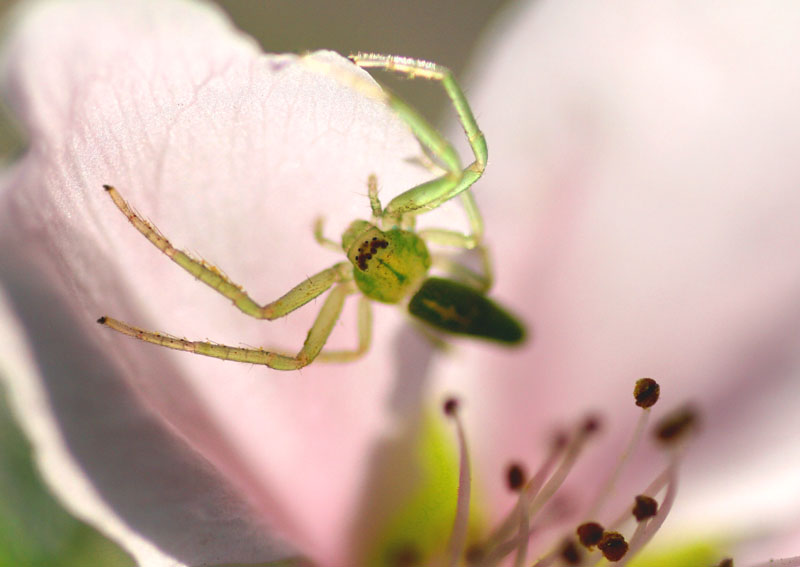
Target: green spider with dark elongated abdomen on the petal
<point x="387" y="260"/>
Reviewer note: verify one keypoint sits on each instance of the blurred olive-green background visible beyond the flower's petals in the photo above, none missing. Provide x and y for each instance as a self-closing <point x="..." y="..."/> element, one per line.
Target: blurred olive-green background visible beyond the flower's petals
<point x="34" y="530"/>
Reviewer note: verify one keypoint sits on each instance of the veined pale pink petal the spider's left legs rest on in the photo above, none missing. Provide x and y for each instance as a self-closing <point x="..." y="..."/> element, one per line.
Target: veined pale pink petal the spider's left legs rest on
<point x="232" y="154"/>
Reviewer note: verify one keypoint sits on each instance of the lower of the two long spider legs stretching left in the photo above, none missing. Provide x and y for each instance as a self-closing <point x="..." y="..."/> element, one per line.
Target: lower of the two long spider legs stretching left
<point x="315" y="340"/>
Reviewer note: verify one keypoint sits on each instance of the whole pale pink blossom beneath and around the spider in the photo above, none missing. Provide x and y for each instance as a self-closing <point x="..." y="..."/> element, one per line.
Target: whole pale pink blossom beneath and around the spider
<point x="618" y="198"/>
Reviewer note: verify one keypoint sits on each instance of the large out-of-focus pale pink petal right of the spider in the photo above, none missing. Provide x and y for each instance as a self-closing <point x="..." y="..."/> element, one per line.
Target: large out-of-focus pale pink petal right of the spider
<point x="642" y="203"/>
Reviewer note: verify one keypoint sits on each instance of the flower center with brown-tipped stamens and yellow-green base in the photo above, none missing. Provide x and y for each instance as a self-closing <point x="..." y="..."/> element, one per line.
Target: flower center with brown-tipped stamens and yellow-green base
<point x="539" y="516"/>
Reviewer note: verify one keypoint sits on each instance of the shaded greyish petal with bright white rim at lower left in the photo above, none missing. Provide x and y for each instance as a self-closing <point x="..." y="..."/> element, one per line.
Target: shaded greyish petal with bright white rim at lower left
<point x="116" y="465"/>
